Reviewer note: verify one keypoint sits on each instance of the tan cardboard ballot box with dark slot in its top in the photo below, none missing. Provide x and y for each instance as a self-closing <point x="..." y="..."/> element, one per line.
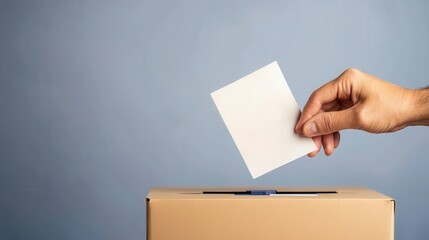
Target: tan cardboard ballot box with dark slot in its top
<point x="269" y="213"/>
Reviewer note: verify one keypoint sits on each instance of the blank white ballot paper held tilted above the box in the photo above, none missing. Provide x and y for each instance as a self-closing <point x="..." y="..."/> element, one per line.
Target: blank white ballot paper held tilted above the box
<point x="260" y="113"/>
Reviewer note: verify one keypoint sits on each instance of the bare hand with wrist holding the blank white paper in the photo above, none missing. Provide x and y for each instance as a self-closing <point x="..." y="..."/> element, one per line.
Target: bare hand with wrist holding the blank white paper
<point x="357" y="100"/>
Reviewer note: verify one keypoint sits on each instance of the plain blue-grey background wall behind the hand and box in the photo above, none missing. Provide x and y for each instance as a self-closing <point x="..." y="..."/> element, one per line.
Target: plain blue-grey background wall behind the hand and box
<point x="101" y="100"/>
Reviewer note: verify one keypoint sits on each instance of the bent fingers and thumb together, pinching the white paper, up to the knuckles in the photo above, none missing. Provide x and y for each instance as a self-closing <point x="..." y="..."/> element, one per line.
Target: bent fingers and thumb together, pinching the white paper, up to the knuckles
<point x="322" y="117"/>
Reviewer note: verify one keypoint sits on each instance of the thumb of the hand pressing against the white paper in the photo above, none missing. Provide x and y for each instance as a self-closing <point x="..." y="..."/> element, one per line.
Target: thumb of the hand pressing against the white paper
<point x="328" y="122"/>
